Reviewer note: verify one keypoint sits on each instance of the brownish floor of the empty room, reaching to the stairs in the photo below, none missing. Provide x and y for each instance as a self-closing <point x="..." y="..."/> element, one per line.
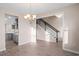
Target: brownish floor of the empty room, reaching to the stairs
<point x="40" y="48"/>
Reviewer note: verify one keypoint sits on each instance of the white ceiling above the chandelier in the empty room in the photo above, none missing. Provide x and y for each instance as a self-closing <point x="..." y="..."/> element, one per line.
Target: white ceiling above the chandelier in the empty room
<point x="34" y="8"/>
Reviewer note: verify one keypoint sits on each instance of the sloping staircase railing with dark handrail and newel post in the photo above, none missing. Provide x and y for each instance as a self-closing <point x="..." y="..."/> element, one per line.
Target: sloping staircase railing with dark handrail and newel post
<point x="51" y="31"/>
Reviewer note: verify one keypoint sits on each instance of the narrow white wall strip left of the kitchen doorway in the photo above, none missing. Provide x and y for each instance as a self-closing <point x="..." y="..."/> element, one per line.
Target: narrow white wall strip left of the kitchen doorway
<point x="2" y="32"/>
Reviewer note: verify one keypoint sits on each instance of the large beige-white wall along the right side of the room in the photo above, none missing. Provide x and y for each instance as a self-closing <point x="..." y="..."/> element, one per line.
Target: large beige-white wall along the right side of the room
<point x="71" y="27"/>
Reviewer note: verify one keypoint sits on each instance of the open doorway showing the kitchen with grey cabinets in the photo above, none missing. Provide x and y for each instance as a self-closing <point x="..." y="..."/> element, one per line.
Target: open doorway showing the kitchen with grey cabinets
<point x="11" y="31"/>
